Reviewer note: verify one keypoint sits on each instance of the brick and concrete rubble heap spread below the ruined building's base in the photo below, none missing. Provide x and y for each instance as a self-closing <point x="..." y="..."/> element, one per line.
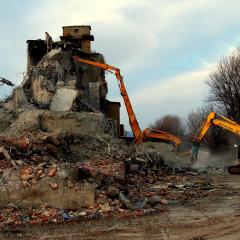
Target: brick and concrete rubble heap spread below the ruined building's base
<point x="71" y="176"/>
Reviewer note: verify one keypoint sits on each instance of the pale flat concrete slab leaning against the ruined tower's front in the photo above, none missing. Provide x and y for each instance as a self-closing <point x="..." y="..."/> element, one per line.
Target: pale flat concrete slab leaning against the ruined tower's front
<point x="63" y="99"/>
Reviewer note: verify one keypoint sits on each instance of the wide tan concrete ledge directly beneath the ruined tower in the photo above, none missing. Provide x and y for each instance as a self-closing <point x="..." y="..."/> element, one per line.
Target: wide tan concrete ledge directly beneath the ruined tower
<point x="55" y="122"/>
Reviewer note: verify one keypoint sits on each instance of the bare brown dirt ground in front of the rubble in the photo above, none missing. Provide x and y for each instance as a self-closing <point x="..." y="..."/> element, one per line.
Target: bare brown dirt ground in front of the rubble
<point x="214" y="217"/>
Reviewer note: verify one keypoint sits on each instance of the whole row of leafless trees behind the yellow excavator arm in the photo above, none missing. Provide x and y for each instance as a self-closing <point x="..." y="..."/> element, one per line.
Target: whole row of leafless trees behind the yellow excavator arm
<point x="223" y="98"/>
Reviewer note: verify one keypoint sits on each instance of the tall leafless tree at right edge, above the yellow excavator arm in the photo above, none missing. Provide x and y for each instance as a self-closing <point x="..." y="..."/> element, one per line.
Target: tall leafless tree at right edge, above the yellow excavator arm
<point x="224" y="84"/>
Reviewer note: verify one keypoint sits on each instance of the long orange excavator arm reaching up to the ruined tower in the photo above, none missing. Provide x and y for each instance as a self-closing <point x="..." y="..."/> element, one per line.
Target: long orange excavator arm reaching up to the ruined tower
<point x="139" y="136"/>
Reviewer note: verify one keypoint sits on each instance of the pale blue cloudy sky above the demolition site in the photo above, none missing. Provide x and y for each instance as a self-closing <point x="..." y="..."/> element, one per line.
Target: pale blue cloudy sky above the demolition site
<point x="164" y="48"/>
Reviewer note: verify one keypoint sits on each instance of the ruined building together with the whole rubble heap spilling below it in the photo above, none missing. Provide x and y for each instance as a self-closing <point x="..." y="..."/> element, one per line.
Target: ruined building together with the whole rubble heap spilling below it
<point x="60" y="155"/>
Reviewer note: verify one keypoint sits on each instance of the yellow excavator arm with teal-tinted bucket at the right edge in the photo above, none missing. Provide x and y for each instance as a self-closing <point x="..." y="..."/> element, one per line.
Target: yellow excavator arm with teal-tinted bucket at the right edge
<point x="212" y="119"/>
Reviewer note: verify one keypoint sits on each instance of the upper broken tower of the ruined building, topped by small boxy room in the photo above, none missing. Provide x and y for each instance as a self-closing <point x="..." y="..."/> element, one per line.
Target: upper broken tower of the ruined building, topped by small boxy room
<point x="51" y="67"/>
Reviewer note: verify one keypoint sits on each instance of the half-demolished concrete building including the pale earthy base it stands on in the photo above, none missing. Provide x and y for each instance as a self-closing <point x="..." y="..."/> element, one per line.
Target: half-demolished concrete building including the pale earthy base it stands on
<point x="59" y="94"/>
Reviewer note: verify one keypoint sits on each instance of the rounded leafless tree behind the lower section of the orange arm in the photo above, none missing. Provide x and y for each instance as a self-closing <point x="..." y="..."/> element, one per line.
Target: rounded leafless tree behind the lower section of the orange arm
<point x="170" y="123"/>
